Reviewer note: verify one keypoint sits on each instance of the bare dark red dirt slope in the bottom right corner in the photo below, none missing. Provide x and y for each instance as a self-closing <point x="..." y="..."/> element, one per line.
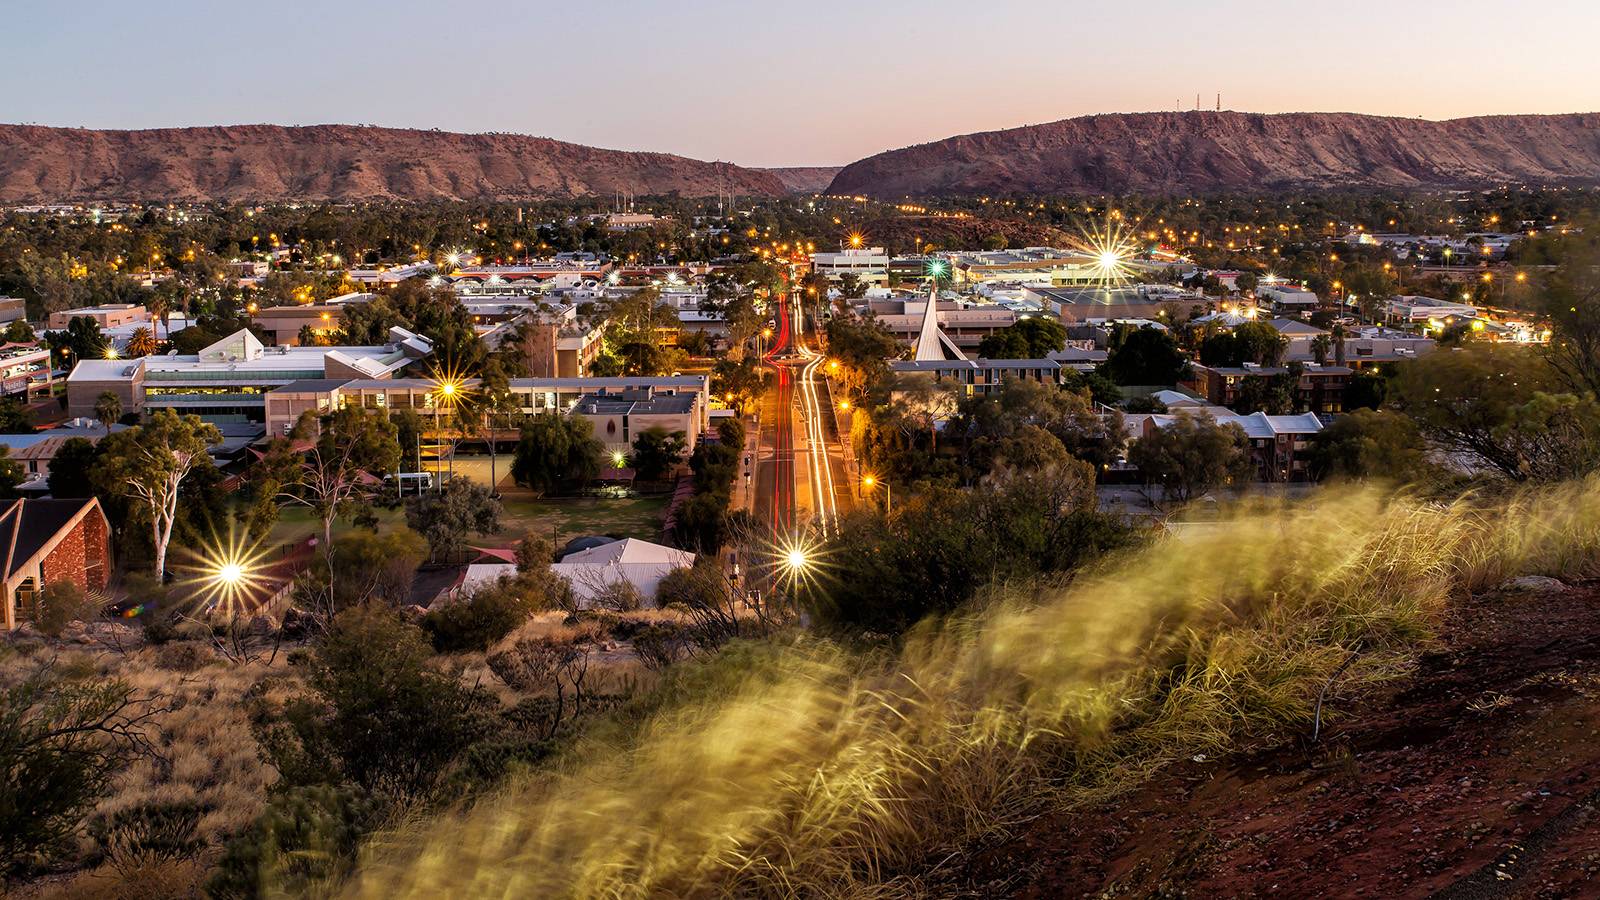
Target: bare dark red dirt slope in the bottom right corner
<point x="1478" y="777"/>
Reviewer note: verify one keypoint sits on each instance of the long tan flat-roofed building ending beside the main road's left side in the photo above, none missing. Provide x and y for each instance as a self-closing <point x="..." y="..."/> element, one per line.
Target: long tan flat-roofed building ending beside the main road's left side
<point x="286" y="404"/>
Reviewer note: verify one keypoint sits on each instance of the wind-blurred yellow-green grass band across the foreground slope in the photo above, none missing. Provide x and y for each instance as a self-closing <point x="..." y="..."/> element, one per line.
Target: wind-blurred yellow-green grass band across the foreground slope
<point x="810" y="771"/>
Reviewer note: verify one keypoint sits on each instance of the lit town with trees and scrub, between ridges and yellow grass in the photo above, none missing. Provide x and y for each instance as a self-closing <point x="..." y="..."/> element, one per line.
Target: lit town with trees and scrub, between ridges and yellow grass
<point x="519" y="460"/>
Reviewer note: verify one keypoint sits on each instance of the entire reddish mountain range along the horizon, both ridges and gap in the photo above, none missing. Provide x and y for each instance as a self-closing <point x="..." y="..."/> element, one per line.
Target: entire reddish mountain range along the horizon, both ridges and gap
<point x="1121" y="153"/>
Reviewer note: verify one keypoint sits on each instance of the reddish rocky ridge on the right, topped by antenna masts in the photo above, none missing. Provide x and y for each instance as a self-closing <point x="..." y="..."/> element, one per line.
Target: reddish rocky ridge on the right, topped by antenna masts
<point x="1238" y="151"/>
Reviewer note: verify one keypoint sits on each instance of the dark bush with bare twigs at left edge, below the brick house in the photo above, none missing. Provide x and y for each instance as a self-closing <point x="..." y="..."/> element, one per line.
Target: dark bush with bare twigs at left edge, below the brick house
<point x="62" y="745"/>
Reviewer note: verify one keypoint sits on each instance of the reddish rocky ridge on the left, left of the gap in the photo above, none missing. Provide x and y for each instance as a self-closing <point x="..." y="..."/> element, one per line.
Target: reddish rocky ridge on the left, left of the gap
<point x="338" y="163"/>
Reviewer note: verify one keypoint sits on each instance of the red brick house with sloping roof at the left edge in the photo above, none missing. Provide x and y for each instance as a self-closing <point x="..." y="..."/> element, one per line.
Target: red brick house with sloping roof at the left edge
<point x="50" y="540"/>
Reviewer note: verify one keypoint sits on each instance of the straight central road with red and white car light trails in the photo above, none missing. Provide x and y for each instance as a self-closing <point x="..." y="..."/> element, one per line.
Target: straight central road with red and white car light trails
<point x="799" y="470"/>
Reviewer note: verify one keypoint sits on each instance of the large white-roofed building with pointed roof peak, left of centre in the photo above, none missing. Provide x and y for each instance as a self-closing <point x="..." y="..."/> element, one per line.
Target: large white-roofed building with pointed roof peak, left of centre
<point x="231" y="379"/>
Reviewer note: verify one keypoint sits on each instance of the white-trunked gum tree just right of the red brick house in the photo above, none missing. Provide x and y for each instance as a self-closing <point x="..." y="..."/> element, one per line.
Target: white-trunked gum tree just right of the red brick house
<point x="148" y="464"/>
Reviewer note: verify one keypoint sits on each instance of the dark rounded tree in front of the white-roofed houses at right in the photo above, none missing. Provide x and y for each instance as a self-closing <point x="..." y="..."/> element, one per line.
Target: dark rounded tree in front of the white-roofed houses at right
<point x="1193" y="456"/>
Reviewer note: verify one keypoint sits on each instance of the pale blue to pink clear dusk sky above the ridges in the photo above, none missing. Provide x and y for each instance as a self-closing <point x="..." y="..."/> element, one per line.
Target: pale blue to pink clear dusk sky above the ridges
<point x="778" y="84"/>
